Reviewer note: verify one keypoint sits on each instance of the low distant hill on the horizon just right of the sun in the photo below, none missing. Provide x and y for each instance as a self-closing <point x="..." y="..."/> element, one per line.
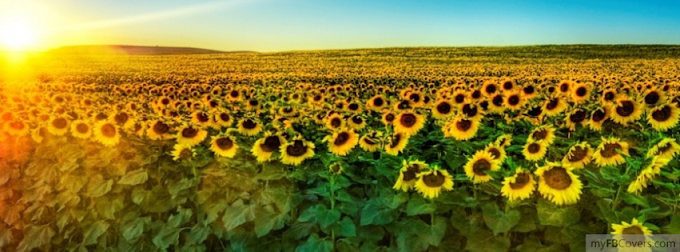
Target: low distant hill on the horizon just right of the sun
<point x="130" y="50"/>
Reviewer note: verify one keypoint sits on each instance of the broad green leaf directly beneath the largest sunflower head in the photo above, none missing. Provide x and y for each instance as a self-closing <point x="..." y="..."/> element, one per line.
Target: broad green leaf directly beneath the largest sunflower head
<point x="552" y="215"/>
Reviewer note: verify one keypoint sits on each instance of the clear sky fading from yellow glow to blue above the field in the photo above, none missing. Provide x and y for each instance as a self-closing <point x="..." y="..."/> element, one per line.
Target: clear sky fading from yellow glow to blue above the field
<point x="283" y="25"/>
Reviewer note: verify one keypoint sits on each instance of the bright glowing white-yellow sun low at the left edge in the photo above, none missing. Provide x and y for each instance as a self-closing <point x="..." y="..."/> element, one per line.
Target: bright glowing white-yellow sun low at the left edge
<point x="17" y="35"/>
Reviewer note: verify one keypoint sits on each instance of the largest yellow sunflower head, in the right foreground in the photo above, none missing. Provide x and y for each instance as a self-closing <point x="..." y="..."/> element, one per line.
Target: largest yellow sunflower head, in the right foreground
<point x="558" y="184"/>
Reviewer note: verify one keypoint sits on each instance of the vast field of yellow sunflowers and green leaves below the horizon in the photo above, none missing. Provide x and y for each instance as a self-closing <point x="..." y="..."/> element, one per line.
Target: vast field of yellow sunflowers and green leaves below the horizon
<point x="396" y="149"/>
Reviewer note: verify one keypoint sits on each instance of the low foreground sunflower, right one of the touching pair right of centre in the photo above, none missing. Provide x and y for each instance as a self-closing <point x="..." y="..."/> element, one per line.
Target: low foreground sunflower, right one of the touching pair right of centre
<point x="431" y="183"/>
